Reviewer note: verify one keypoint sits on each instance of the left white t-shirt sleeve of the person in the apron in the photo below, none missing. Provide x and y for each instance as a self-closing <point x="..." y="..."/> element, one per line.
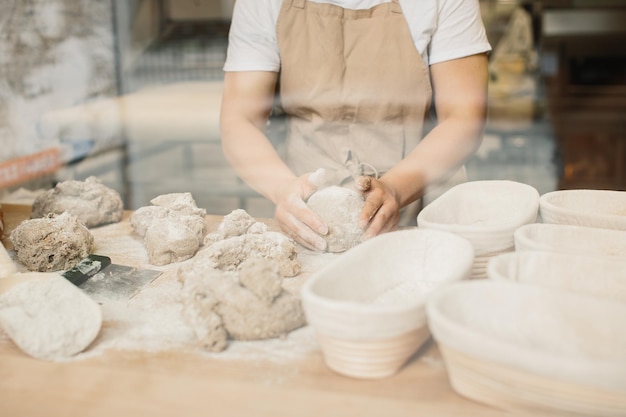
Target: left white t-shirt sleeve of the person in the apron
<point x="252" y="43"/>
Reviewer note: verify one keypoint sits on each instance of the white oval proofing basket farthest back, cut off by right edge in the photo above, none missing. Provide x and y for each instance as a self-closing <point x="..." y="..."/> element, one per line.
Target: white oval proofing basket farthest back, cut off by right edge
<point x="595" y="208"/>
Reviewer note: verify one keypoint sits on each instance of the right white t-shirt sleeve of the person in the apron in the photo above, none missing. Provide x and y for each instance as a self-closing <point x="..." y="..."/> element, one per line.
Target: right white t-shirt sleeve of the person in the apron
<point x="459" y="31"/>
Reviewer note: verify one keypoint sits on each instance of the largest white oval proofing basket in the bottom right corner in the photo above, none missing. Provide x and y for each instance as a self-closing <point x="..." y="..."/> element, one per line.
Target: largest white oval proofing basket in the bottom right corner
<point x="532" y="349"/>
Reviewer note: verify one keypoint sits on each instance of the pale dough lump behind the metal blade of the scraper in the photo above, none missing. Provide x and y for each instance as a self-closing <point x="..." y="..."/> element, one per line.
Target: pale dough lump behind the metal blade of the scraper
<point x="173" y="228"/>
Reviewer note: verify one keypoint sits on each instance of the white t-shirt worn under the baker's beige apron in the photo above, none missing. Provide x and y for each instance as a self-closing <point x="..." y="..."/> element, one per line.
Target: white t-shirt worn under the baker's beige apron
<point x="441" y="29"/>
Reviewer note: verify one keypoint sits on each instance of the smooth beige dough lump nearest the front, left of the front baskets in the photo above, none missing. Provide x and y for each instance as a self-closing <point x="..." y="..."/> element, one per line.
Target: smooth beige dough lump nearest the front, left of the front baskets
<point x="220" y="304"/>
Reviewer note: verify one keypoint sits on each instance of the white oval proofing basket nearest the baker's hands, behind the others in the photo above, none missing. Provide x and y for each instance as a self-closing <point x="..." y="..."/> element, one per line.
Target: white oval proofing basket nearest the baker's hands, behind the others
<point x="484" y="212"/>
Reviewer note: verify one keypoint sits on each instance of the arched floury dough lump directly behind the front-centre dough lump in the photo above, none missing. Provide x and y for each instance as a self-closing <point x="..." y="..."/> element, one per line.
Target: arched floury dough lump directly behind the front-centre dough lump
<point x="229" y="253"/>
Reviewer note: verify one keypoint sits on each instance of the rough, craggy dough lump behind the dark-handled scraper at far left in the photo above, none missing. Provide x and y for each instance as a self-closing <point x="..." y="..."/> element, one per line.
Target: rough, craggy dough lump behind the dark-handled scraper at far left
<point x="53" y="243"/>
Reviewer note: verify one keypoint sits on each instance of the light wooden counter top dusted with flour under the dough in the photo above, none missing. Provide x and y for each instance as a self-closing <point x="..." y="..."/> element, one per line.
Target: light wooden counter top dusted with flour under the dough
<point x="144" y="363"/>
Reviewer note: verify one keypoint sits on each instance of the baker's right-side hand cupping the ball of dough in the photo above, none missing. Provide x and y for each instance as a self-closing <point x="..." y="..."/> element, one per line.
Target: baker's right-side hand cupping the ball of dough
<point x="381" y="211"/>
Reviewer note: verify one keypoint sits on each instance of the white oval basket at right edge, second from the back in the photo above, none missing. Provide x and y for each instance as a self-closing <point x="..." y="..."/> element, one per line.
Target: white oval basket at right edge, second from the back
<point x="565" y="238"/>
